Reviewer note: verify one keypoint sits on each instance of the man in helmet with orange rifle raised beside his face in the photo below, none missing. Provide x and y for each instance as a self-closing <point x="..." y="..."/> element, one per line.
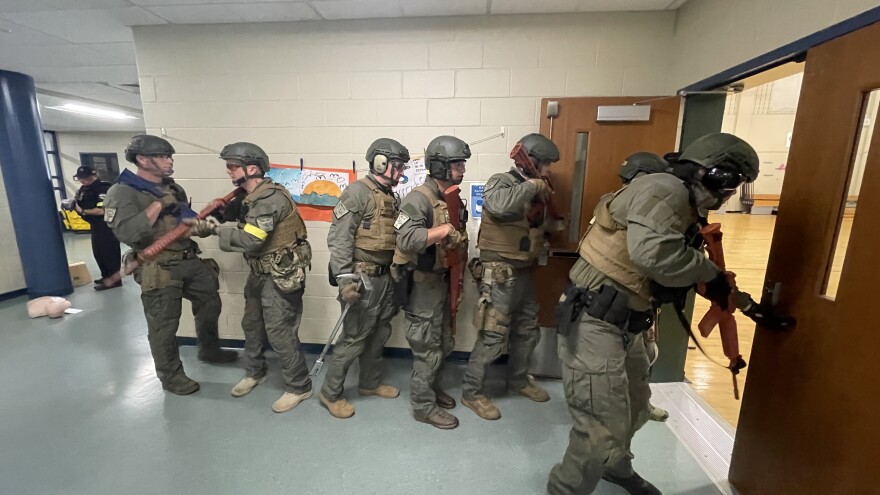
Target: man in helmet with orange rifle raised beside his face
<point x="512" y="236"/>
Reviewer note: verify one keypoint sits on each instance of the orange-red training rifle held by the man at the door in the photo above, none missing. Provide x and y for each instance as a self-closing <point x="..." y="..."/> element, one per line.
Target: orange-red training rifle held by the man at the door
<point x="723" y="319"/>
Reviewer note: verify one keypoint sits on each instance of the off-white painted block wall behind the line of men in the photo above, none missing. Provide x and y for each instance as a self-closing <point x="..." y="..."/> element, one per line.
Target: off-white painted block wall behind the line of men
<point x="323" y="91"/>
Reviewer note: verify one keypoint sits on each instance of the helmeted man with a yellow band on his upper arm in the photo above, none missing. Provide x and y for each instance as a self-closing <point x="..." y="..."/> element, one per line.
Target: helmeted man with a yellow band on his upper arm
<point x="272" y="236"/>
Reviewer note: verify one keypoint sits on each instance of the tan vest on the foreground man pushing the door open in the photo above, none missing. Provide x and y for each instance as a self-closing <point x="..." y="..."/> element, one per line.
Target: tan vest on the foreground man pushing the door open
<point x="604" y="247"/>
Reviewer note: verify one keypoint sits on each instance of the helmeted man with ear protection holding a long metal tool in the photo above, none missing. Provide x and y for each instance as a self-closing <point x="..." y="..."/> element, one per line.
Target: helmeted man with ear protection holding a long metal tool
<point x="361" y="242"/>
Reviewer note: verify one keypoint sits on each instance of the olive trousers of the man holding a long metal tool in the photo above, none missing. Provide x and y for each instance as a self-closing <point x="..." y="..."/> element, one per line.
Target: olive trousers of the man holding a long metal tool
<point x="365" y="331"/>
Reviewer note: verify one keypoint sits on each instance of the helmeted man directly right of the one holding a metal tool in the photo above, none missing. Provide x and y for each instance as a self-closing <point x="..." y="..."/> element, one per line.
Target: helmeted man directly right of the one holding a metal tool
<point x="424" y="235"/>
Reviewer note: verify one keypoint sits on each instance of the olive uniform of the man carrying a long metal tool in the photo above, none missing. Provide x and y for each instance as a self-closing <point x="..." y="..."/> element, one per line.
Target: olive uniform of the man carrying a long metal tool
<point x="362" y="240"/>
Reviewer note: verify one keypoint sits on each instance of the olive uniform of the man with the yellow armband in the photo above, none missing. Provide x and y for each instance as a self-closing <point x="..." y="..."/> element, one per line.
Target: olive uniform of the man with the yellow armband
<point x="272" y="237"/>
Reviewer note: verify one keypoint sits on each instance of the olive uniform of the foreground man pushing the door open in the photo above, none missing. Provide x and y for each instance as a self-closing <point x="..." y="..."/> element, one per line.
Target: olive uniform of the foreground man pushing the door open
<point x="638" y="236"/>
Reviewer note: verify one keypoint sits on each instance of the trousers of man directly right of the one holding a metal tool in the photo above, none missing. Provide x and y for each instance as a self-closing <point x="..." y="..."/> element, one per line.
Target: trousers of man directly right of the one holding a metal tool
<point x="430" y="338"/>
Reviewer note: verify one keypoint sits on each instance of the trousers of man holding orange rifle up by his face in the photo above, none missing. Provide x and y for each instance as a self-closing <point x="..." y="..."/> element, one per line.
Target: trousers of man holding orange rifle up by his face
<point x="512" y="314"/>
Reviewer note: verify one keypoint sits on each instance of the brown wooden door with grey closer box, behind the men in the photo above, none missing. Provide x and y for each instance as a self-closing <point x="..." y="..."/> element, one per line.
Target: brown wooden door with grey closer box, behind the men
<point x="590" y="154"/>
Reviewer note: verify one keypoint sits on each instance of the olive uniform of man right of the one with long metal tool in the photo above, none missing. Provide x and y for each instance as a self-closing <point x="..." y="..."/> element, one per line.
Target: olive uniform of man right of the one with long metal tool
<point x="428" y="309"/>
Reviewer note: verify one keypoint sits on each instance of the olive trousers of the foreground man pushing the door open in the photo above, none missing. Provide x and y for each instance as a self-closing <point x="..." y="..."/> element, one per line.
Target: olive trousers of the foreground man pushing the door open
<point x="605" y="377"/>
